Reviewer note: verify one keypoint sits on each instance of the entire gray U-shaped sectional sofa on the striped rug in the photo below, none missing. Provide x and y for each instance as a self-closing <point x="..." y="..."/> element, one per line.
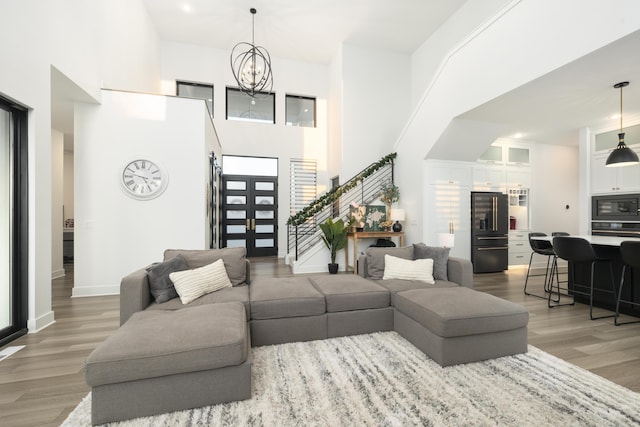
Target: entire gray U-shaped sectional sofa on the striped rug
<point x="198" y="354"/>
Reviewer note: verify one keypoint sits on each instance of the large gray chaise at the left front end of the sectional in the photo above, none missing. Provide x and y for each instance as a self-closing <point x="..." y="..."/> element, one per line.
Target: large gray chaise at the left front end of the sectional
<point x="163" y="361"/>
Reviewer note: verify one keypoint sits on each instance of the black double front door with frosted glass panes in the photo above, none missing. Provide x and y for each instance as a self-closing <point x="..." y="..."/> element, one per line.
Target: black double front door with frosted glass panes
<point x="250" y="213"/>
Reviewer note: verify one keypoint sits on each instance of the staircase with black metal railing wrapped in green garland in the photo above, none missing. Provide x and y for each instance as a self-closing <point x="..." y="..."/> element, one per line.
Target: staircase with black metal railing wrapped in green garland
<point x="303" y="231"/>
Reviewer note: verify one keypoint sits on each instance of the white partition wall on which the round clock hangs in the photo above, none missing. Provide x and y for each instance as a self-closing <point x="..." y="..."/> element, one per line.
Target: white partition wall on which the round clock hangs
<point x="115" y="234"/>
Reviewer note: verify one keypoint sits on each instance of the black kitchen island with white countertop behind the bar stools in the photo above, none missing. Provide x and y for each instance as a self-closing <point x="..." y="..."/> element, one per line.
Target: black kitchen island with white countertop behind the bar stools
<point x="606" y="247"/>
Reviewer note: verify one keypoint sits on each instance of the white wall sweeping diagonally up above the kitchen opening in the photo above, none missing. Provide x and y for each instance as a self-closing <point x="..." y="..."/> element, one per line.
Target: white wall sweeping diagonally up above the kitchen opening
<point x="511" y="39"/>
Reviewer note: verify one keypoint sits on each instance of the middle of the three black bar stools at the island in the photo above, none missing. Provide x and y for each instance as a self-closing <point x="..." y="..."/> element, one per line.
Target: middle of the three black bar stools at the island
<point x="579" y="250"/>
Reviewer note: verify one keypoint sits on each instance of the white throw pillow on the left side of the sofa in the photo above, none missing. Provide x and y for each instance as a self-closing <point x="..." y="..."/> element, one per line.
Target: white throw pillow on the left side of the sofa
<point x="192" y="284"/>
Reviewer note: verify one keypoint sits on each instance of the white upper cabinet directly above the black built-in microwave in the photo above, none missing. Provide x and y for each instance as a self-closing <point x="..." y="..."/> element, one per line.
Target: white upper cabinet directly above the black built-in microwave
<point x="605" y="180"/>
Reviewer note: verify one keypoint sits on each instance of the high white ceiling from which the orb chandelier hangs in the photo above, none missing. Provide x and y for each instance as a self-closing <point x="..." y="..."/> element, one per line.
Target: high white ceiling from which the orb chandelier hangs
<point x="306" y="30"/>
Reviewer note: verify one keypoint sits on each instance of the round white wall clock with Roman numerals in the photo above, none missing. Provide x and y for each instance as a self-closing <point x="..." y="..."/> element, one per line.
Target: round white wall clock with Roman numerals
<point x="143" y="179"/>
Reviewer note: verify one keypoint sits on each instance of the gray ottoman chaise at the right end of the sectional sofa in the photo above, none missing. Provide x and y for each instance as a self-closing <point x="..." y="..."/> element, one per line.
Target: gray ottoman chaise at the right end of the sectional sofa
<point x="460" y="325"/>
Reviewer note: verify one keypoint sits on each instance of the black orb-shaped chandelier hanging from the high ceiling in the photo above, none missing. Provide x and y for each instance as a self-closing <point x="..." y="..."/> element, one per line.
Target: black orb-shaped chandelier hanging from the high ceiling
<point x="251" y="66"/>
